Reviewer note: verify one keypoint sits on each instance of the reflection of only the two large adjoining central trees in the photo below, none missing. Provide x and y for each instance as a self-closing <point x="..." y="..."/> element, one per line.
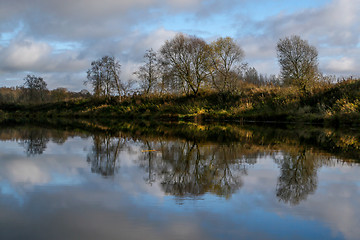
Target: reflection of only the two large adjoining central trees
<point x="199" y="169"/>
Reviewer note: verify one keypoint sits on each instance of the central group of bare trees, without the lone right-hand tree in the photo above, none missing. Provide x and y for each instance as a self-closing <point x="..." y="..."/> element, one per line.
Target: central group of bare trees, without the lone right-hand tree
<point x="183" y="65"/>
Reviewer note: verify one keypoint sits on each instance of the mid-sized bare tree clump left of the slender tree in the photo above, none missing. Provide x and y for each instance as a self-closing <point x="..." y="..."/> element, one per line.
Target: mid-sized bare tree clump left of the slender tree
<point x="104" y="76"/>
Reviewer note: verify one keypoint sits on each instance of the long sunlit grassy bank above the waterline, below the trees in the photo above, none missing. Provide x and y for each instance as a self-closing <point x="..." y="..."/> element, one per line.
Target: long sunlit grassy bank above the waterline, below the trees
<point x="333" y="104"/>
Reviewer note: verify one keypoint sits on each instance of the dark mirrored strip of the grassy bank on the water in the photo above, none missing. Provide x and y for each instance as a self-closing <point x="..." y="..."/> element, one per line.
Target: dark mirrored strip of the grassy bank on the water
<point x="342" y="142"/>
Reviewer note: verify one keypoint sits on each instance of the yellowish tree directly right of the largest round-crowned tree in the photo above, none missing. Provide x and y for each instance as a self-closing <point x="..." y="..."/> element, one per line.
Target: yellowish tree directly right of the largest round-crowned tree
<point x="226" y="62"/>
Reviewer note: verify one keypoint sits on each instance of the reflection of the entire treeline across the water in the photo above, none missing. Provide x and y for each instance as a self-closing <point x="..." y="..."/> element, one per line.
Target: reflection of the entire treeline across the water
<point x="194" y="166"/>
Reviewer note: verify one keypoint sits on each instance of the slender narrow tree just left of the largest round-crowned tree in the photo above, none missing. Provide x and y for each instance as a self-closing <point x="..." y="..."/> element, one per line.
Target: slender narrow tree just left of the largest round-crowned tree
<point x="148" y="74"/>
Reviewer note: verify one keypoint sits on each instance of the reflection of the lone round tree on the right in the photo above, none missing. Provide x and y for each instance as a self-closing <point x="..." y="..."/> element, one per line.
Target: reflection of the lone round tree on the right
<point x="298" y="177"/>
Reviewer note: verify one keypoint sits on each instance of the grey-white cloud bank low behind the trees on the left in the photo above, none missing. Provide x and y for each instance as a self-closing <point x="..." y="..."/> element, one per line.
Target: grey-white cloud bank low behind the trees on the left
<point x="67" y="68"/>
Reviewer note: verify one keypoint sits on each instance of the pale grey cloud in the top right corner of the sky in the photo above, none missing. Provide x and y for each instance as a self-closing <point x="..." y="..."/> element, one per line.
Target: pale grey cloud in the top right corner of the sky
<point x="332" y="24"/>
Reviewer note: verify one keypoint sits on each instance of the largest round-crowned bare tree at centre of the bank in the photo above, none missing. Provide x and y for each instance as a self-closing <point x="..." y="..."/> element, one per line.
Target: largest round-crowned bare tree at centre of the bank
<point x="186" y="61"/>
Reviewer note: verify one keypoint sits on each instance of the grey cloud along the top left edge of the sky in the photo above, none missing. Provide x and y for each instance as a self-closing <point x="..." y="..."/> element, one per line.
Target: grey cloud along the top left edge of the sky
<point x="84" y="20"/>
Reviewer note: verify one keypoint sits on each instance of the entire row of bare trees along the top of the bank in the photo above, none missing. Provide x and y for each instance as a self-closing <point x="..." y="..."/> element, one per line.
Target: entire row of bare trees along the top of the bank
<point x="186" y="65"/>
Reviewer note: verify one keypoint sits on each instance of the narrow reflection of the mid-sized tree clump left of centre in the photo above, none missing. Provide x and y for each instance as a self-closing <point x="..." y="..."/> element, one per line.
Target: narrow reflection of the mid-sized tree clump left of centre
<point x="104" y="154"/>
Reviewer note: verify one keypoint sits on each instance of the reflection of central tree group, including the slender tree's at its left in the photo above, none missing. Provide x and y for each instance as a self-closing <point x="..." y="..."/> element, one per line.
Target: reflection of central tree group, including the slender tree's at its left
<point x="190" y="168"/>
